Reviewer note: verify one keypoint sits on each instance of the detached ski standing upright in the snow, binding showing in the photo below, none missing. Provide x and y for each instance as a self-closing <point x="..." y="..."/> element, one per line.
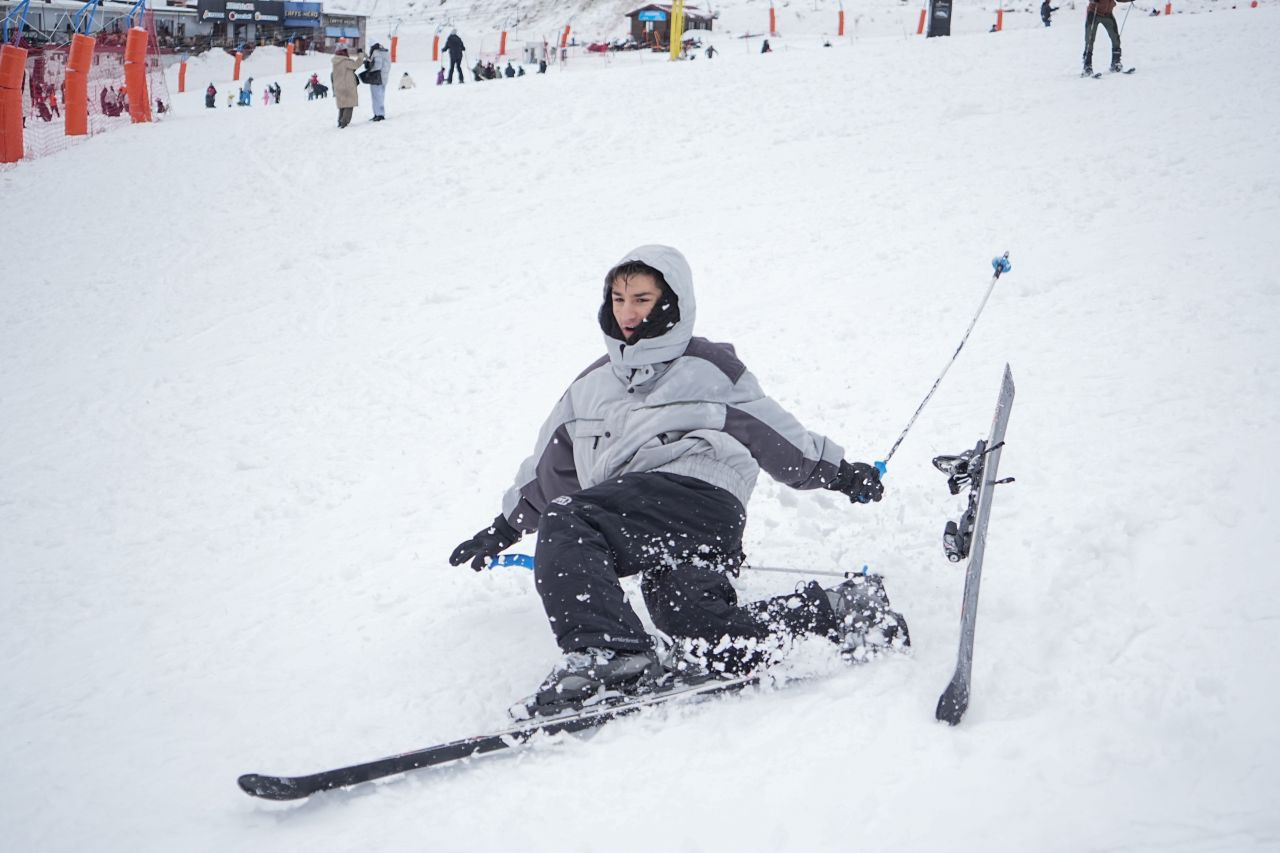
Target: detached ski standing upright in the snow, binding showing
<point x="975" y="471"/>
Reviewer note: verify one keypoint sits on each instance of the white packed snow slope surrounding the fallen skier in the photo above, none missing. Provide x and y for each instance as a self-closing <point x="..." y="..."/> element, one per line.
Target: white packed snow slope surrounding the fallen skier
<point x="259" y="376"/>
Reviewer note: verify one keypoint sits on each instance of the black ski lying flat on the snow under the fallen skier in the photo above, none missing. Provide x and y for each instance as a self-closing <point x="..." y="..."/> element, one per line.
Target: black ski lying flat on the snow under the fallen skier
<point x="284" y="788"/>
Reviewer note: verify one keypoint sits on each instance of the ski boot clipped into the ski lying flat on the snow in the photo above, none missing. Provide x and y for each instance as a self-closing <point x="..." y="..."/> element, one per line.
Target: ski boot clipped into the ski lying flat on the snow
<point x="587" y="678"/>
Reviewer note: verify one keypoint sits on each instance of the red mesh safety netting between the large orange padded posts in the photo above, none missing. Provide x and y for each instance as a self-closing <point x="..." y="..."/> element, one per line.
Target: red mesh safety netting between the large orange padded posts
<point x="44" y="93"/>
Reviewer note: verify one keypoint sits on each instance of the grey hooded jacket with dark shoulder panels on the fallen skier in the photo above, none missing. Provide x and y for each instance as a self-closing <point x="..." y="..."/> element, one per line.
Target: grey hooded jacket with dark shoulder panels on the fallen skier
<point x="673" y="404"/>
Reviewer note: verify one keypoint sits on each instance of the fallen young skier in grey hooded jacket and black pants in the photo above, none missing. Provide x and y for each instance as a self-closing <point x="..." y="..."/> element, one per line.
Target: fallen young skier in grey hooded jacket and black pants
<point x="644" y="468"/>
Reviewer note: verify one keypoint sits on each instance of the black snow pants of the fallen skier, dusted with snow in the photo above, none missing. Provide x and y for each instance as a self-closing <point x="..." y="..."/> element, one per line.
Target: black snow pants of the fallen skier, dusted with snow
<point x="683" y="536"/>
